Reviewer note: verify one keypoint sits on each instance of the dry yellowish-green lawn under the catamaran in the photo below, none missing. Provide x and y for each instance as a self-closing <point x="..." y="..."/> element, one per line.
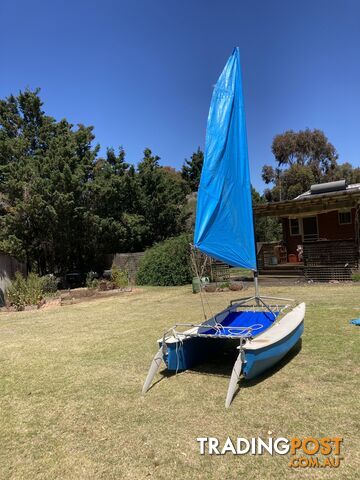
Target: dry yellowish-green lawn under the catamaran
<point x="71" y="379"/>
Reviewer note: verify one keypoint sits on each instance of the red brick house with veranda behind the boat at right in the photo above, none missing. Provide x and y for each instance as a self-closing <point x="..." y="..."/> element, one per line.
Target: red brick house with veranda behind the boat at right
<point x="320" y="233"/>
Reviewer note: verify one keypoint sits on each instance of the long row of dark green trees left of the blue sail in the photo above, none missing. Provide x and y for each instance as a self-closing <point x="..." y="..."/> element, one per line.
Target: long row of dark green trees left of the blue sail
<point x="62" y="206"/>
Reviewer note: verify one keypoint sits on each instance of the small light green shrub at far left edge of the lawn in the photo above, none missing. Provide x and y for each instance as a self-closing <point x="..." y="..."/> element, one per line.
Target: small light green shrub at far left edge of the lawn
<point x="22" y="292"/>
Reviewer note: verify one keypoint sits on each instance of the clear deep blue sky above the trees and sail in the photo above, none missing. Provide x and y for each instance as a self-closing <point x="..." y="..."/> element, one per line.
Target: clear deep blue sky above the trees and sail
<point x="142" y="71"/>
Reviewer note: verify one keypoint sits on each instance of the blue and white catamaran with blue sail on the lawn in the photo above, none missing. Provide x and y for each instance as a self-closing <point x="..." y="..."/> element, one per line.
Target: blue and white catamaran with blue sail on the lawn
<point x="262" y="330"/>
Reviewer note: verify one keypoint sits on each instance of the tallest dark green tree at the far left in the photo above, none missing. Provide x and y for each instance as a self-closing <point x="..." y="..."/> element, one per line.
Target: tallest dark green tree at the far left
<point x="44" y="165"/>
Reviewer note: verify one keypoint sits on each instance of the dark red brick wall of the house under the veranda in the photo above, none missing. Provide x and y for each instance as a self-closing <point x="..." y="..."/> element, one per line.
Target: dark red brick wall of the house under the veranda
<point x="329" y="229"/>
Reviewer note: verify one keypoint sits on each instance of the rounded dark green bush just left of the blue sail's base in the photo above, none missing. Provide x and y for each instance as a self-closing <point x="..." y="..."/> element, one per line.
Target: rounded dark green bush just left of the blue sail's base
<point x="166" y="263"/>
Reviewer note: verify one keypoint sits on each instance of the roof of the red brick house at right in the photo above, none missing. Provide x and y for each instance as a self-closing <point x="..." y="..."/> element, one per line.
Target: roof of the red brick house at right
<point x="309" y="202"/>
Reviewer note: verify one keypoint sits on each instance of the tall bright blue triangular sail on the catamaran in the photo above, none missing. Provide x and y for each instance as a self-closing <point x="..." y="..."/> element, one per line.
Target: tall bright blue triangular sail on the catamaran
<point x="224" y="220"/>
